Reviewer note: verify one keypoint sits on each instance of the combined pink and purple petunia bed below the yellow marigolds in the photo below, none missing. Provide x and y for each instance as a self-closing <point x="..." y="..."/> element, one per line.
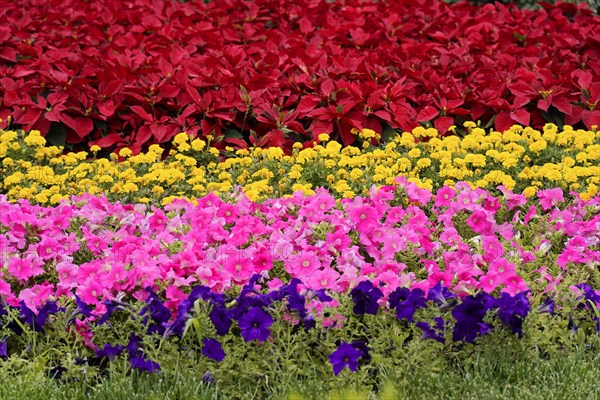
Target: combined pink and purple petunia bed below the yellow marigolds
<point x="88" y="267"/>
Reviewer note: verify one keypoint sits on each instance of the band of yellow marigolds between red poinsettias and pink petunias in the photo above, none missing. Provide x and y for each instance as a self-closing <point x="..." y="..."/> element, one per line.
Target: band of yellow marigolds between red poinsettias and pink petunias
<point x="521" y="159"/>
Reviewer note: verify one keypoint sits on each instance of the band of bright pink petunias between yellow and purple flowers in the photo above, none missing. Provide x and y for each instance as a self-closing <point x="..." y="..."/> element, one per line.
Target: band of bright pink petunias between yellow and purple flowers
<point x="398" y="236"/>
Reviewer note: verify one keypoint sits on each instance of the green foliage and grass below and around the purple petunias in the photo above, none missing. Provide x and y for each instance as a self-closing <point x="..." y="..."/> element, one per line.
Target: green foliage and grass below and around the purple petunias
<point x="294" y="362"/>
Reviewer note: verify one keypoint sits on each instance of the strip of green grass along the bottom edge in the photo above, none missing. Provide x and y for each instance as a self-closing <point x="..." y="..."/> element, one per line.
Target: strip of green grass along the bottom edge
<point x="490" y="375"/>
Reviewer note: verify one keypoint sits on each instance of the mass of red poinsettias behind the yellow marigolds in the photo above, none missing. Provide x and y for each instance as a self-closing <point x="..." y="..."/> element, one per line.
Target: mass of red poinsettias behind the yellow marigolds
<point x="268" y="73"/>
